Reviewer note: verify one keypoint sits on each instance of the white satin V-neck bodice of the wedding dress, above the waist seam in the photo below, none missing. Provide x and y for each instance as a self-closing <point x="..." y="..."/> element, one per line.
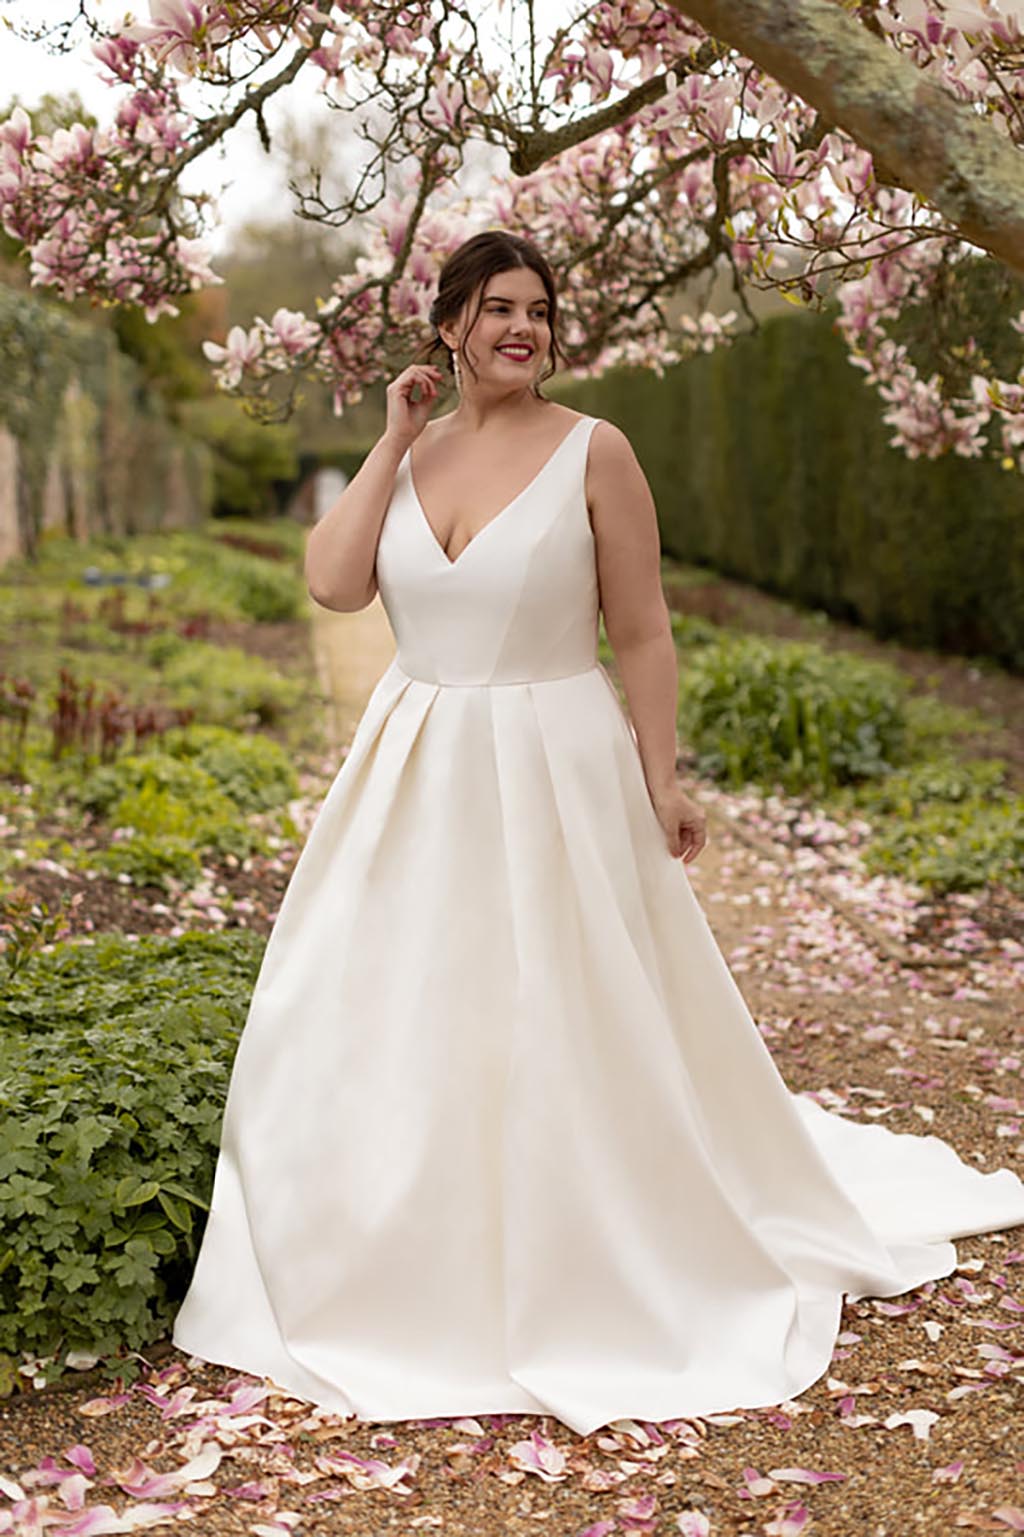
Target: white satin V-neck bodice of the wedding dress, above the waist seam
<point x="519" y="603"/>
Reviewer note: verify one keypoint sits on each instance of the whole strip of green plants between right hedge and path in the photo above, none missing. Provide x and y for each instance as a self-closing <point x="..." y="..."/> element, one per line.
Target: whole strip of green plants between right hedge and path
<point x="846" y="735"/>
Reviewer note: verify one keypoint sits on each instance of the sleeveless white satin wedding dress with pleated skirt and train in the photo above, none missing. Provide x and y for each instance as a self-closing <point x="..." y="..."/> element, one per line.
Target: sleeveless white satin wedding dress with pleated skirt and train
<point x="502" y="1134"/>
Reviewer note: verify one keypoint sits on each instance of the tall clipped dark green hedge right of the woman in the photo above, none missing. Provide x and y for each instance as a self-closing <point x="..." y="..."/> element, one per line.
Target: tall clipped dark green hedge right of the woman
<point x="771" y="463"/>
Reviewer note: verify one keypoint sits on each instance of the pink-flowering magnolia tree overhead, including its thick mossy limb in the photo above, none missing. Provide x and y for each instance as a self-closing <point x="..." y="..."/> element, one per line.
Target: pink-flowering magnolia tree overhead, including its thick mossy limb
<point x="857" y="151"/>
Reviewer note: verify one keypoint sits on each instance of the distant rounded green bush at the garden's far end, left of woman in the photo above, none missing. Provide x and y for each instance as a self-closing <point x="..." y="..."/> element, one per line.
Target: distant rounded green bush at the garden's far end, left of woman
<point x="248" y="457"/>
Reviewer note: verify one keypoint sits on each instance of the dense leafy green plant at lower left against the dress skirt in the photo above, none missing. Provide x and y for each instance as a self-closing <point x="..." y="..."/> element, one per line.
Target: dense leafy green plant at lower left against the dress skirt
<point x="115" y="1063"/>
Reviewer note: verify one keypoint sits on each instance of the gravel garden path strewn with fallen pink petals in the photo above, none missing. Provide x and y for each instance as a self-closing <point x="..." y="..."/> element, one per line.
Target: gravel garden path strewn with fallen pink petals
<point x="882" y="1004"/>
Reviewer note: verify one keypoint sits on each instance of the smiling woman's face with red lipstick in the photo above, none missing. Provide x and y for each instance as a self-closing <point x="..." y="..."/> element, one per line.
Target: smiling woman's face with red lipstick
<point x="511" y="339"/>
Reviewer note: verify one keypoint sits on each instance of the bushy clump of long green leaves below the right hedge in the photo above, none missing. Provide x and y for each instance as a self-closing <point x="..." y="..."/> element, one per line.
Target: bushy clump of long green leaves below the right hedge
<point x="791" y="714"/>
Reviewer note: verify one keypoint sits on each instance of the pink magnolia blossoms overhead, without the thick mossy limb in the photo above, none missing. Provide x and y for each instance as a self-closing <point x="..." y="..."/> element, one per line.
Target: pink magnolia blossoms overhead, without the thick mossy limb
<point x="102" y="213"/>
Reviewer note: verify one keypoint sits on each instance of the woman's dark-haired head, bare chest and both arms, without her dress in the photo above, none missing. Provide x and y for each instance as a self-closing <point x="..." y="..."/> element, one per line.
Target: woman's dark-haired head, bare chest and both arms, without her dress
<point x="497" y="330"/>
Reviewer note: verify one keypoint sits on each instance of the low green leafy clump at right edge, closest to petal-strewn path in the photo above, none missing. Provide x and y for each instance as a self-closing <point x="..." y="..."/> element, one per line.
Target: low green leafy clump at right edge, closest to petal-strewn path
<point x="956" y="846"/>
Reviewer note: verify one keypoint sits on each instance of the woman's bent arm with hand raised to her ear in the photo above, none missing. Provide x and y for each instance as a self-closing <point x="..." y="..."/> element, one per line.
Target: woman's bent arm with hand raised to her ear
<point x="342" y="548"/>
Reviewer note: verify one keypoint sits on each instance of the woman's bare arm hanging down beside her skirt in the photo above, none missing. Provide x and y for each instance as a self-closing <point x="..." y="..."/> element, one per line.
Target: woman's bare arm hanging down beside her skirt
<point x="639" y="628"/>
